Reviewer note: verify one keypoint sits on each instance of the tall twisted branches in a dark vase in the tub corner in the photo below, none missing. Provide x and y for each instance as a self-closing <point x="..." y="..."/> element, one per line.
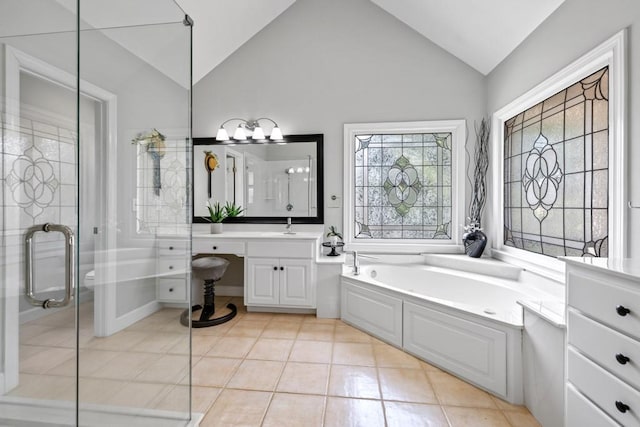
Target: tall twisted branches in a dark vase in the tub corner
<point x="474" y="238"/>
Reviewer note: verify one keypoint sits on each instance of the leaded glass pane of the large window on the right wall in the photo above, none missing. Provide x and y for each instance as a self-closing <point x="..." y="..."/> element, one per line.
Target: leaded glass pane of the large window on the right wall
<point x="556" y="172"/>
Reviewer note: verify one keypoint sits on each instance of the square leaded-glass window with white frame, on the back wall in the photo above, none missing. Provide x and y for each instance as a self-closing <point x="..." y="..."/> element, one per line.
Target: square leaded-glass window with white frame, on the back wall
<point x="402" y="183"/>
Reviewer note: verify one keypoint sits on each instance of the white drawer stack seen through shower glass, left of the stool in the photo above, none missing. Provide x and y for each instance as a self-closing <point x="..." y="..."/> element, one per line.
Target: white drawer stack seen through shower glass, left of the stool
<point x="171" y="267"/>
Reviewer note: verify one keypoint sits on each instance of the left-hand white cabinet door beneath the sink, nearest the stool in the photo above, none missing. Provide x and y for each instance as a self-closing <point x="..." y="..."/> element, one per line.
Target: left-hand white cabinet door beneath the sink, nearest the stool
<point x="262" y="284"/>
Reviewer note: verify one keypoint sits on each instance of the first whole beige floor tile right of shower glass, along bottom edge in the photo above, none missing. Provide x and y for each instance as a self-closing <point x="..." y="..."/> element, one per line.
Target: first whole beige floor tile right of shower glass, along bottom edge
<point x="237" y="408"/>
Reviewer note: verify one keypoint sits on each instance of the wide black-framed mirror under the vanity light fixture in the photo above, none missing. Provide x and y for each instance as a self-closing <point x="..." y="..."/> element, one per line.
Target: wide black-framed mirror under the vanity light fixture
<point x="270" y="181"/>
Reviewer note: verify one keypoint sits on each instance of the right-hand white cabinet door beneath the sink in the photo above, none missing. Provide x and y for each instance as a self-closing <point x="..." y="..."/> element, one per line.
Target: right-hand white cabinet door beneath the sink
<point x="295" y="283"/>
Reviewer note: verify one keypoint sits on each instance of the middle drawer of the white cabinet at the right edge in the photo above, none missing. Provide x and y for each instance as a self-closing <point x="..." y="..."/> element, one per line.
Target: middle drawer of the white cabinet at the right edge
<point x="605" y="346"/>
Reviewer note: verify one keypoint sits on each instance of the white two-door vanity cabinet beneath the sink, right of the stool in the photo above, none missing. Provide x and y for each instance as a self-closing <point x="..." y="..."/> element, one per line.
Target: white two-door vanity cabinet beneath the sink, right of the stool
<point x="280" y="274"/>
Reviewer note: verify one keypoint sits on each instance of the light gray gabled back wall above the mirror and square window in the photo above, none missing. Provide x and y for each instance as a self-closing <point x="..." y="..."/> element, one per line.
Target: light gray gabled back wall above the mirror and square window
<point x="323" y="63"/>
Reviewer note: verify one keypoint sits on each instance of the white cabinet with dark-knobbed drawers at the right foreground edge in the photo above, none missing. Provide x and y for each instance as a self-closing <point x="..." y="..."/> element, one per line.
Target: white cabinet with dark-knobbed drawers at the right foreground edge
<point x="603" y="343"/>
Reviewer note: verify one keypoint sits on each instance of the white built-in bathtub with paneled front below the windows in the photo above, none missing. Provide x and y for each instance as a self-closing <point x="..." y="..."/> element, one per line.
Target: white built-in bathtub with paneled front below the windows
<point x="468" y="324"/>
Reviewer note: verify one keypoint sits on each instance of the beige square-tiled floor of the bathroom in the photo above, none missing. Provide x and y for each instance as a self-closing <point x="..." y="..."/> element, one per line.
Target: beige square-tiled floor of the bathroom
<point x="260" y="369"/>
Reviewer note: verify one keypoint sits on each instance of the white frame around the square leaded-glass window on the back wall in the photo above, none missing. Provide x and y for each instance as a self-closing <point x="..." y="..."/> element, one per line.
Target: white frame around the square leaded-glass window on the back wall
<point x="457" y="128"/>
